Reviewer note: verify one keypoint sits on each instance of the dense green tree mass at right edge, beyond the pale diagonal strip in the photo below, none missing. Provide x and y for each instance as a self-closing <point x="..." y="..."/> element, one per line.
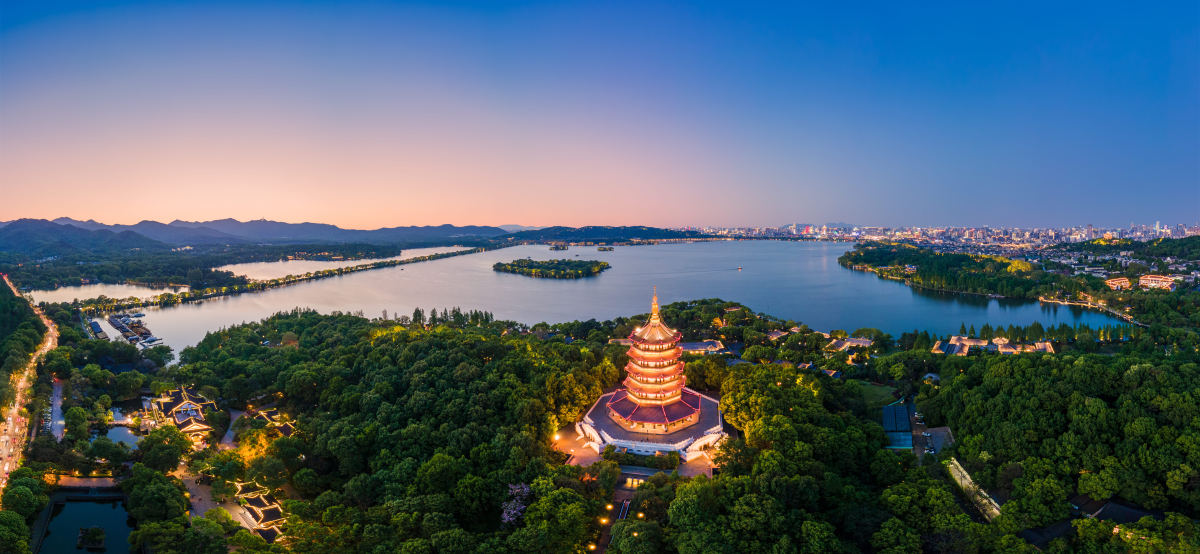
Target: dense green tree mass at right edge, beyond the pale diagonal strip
<point x="1039" y="429"/>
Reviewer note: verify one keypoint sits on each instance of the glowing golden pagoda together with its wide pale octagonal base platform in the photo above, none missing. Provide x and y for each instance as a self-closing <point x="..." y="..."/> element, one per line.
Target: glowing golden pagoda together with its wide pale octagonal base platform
<point x="653" y="412"/>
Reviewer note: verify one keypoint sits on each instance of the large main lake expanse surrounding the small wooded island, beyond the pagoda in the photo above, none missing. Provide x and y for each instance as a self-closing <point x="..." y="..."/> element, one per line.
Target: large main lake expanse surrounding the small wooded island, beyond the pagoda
<point x="800" y="281"/>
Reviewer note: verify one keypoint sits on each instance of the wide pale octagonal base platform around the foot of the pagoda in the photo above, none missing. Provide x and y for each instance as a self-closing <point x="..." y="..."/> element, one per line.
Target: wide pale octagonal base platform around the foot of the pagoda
<point x="691" y="442"/>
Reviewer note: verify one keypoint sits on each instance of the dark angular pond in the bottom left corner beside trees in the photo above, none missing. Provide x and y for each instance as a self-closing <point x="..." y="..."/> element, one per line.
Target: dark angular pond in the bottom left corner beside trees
<point x="69" y="517"/>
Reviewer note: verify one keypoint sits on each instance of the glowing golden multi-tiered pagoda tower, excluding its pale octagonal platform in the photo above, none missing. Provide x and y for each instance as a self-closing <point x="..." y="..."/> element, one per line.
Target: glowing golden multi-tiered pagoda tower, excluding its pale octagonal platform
<point x="656" y="399"/>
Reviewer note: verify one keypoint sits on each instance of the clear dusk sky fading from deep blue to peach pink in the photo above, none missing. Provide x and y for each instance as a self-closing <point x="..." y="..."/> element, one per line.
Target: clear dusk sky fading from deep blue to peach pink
<point x="379" y="115"/>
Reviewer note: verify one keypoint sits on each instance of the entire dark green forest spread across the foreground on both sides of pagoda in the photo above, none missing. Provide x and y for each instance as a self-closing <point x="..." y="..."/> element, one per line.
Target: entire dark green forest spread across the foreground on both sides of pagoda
<point x="433" y="435"/>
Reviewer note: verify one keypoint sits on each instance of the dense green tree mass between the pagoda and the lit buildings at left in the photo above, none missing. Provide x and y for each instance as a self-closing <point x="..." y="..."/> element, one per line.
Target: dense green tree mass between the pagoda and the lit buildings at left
<point x="409" y="437"/>
